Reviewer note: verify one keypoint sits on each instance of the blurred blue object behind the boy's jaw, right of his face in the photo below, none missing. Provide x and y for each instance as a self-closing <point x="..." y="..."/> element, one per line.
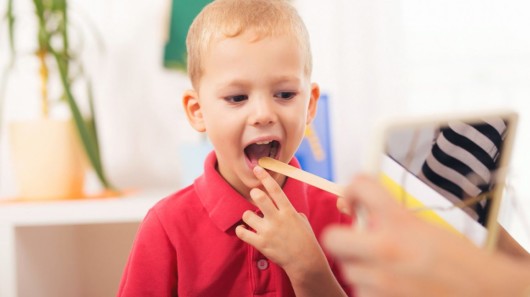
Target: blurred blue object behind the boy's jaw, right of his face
<point x="314" y="154"/>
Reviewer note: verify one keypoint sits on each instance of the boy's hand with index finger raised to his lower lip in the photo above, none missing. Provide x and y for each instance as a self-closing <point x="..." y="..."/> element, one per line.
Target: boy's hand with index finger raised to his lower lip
<point x="282" y="234"/>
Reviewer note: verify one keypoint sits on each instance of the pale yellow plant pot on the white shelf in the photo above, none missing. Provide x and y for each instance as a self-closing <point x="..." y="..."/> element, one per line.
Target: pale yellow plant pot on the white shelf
<point x="47" y="159"/>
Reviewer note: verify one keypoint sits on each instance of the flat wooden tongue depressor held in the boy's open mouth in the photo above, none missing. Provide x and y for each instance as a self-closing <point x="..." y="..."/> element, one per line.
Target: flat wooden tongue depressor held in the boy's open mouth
<point x="314" y="180"/>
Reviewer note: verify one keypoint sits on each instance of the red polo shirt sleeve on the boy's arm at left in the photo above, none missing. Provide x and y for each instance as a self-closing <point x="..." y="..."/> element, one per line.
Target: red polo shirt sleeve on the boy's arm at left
<point x="151" y="269"/>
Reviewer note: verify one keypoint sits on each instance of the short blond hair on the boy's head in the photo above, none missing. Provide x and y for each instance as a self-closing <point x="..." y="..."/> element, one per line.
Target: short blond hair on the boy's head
<point x="231" y="18"/>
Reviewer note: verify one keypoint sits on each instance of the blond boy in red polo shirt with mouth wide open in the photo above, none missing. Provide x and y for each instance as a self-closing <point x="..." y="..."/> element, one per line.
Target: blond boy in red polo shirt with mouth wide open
<point x="234" y="232"/>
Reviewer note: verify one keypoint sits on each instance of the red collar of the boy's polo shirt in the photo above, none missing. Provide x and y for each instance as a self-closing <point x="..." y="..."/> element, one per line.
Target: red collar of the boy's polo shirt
<point x="225" y="206"/>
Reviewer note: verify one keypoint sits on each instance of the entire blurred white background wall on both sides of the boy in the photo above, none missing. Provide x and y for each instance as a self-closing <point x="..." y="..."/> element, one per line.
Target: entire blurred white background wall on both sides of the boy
<point x="373" y="58"/>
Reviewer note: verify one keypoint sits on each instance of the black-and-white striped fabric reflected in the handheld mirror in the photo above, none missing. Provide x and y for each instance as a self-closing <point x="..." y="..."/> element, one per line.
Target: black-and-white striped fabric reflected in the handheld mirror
<point x="463" y="161"/>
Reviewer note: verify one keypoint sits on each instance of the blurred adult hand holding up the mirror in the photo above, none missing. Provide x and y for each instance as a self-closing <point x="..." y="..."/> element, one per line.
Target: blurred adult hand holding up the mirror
<point x="398" y="254"/>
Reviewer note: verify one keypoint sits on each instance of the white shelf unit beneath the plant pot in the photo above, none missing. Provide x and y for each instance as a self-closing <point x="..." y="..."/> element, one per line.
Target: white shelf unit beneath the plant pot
<point x="69" y="247"/>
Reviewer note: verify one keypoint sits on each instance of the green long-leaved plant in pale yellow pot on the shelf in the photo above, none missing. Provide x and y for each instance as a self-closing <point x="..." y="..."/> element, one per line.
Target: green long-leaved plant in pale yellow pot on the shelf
<point x="33" y="142"/>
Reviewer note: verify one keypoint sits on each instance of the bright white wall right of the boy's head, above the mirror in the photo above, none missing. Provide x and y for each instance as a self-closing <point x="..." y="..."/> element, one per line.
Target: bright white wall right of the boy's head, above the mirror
<point x="421" y="57"/>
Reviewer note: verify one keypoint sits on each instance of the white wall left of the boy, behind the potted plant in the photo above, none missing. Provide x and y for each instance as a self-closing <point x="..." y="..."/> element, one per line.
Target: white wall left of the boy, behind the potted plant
<point x="137" y="101"/>
